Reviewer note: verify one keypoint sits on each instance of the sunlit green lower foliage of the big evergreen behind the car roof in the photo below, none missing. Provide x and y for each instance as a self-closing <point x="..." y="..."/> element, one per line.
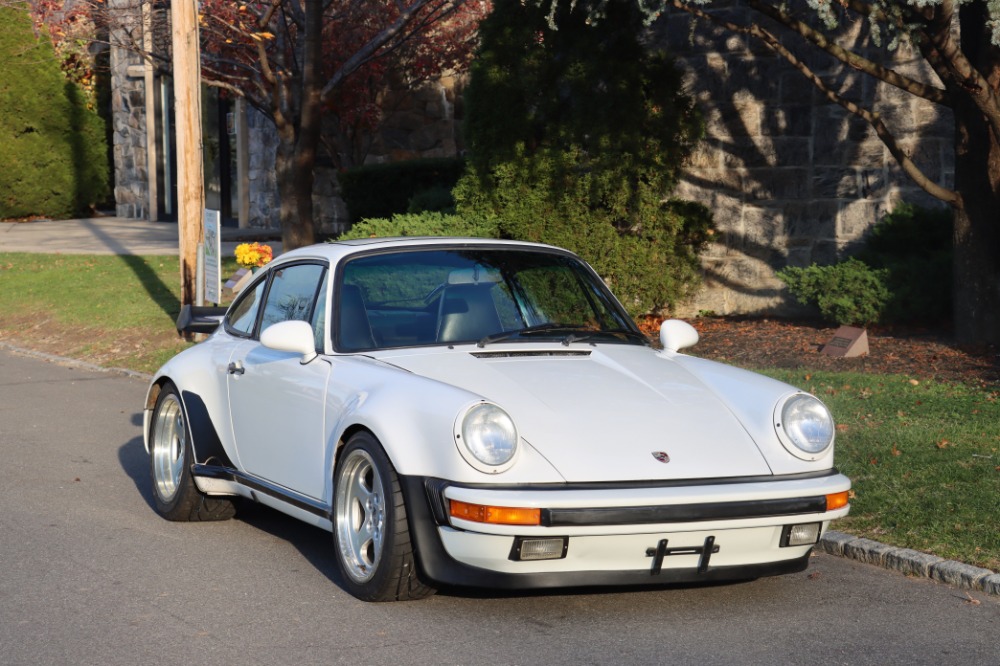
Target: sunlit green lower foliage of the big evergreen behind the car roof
<point x="650" y="266"/>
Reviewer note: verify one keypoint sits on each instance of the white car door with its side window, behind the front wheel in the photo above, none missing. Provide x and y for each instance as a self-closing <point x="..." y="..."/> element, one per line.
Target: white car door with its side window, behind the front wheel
<point x="277" y="402"/>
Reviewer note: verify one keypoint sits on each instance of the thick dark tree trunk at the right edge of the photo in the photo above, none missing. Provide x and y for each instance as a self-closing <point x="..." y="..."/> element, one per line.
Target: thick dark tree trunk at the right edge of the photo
<point x="977" y="180"/>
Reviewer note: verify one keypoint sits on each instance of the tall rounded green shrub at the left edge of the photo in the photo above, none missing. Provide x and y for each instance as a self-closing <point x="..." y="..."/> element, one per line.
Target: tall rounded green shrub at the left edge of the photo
<point x="52" y="147"/>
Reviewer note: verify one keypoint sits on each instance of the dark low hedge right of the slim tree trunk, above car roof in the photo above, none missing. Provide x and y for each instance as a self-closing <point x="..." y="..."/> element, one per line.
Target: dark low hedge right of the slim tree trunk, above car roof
<point x="383" y="190"/>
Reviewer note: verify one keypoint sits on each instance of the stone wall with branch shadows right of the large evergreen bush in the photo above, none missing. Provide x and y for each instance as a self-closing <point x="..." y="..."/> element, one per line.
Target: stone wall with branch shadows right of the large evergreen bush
<point x="791" y="177"/>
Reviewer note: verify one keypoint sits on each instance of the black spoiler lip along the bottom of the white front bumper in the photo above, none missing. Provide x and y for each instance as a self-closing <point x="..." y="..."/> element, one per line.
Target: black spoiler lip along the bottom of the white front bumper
<point x="439" y="568"/>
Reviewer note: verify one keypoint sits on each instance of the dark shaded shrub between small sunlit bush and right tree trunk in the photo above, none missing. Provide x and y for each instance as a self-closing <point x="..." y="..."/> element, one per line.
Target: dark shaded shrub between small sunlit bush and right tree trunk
<point x="914" y="246"/>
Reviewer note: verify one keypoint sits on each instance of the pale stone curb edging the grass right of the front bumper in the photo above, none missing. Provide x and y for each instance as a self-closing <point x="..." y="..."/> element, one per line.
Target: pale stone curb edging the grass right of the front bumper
<point x="911" y="562"/>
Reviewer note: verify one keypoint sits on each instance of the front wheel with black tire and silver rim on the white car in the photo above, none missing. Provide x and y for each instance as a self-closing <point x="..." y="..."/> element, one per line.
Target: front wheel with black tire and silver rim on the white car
<point x="371" y="535"/>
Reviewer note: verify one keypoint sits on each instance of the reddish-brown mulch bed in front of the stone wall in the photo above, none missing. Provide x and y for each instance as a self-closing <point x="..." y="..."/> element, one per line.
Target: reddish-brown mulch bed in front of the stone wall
<point x="777" y="343"/>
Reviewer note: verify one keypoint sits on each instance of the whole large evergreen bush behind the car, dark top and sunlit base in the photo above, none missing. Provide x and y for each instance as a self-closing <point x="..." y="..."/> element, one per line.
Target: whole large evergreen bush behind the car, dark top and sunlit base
<point x="576" y="138"/>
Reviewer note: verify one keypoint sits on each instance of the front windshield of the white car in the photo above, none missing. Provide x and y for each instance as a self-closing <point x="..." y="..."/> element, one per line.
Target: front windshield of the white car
<point x="474" y="295"/>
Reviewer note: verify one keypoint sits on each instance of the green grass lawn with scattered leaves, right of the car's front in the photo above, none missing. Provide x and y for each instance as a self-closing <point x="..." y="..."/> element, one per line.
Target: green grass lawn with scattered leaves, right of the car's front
<point x="924" y="458"/>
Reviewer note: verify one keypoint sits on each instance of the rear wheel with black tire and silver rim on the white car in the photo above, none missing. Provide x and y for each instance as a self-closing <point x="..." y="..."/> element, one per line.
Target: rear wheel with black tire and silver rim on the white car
<point x="170" y="458"/>
